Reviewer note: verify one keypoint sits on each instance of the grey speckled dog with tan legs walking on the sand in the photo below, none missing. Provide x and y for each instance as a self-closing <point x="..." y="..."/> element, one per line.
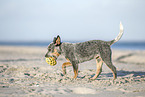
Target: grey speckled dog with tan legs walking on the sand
<point x="77" y="53"/>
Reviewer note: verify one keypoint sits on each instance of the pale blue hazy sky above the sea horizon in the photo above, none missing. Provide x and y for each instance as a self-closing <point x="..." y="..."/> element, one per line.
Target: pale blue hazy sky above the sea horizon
<point x="73" y="20"/>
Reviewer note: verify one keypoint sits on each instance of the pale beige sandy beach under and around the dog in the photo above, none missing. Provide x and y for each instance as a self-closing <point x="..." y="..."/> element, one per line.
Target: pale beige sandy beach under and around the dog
<point x="24" y="73"/>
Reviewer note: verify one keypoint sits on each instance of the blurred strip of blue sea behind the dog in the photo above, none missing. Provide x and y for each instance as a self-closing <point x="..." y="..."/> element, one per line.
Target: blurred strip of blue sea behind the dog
<point x="118" y="45"/>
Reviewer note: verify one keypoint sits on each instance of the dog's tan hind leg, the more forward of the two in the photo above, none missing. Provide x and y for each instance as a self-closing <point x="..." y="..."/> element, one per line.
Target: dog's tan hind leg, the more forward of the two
<point x="99" y="68"/>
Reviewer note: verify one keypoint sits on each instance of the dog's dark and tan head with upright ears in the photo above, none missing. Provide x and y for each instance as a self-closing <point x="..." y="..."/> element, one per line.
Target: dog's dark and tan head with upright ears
<point x="54" y="49"/>
